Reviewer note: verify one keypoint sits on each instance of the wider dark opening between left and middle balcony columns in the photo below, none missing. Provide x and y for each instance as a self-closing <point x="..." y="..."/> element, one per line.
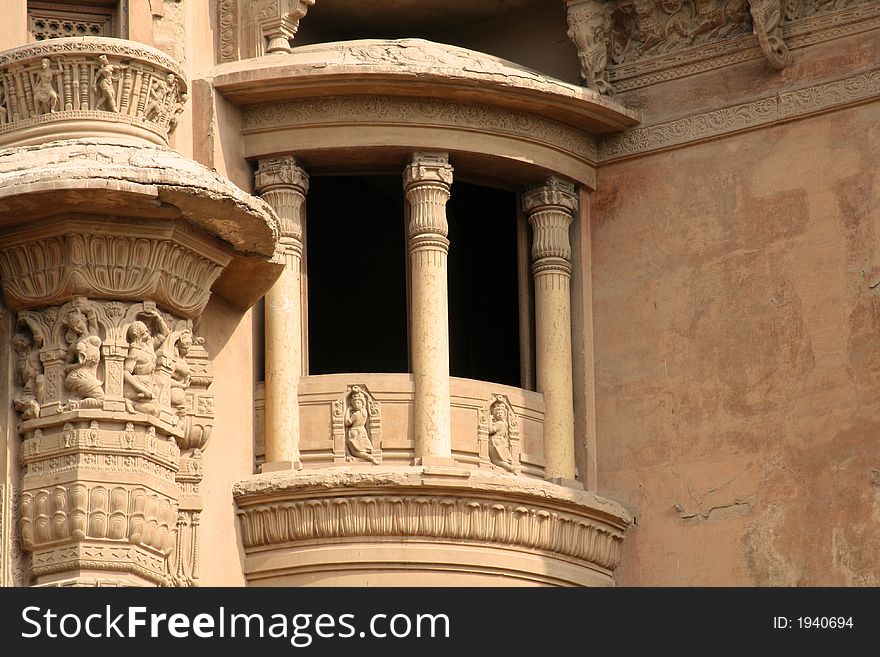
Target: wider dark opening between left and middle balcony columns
<point x="356" y="257"/>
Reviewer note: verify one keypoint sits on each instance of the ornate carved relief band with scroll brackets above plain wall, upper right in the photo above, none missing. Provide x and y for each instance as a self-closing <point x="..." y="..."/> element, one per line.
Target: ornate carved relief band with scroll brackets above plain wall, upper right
<point x="609" y="33"/>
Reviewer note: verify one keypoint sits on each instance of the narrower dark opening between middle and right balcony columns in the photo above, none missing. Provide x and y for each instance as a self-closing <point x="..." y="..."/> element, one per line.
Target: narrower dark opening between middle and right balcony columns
<point x="483" y="284"/>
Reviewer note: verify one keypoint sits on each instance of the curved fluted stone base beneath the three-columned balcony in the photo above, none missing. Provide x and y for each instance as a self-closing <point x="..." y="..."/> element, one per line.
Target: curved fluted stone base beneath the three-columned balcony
<point x="401" y="525"/>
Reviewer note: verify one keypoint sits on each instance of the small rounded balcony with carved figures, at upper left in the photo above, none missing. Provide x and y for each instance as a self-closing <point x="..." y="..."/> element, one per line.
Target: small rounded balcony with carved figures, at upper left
<point x="88" y="87"/>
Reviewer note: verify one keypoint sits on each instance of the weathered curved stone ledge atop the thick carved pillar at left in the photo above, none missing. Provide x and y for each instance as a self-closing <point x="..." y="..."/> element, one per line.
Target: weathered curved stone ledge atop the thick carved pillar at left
<point x="95" y="177"/>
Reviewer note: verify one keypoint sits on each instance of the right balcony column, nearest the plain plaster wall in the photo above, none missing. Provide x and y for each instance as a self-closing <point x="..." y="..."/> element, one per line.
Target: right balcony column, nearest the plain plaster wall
<point x="550" y="208"/>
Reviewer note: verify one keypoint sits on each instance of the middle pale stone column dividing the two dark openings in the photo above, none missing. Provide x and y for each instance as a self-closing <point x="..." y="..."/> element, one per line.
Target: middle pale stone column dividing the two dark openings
<point x="426" y="179"/>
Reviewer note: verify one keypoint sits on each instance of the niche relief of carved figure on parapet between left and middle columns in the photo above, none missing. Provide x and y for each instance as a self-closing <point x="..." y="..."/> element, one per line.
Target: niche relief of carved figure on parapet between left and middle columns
<point x="357" y="426"/>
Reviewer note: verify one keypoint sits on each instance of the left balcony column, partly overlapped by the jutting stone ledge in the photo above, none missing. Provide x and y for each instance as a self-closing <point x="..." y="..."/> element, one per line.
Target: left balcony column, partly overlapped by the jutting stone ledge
<point x="283" y="184"/>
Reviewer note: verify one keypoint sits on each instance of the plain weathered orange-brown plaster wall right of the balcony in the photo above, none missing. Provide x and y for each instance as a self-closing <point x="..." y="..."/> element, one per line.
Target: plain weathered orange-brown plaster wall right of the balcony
<point x="737" y="344"/>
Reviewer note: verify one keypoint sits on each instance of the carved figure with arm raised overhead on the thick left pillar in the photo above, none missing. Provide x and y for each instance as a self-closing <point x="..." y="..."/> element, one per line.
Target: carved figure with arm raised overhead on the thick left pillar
<point x="140" y="364"/>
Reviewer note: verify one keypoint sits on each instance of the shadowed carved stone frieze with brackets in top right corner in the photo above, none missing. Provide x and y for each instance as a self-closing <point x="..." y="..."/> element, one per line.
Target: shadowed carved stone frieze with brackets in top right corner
<point x="629" y="43"/>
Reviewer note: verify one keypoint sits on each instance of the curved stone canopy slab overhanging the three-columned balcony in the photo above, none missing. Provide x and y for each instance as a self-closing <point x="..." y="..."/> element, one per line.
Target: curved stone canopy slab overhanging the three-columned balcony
<point x="417" y="68"/>
